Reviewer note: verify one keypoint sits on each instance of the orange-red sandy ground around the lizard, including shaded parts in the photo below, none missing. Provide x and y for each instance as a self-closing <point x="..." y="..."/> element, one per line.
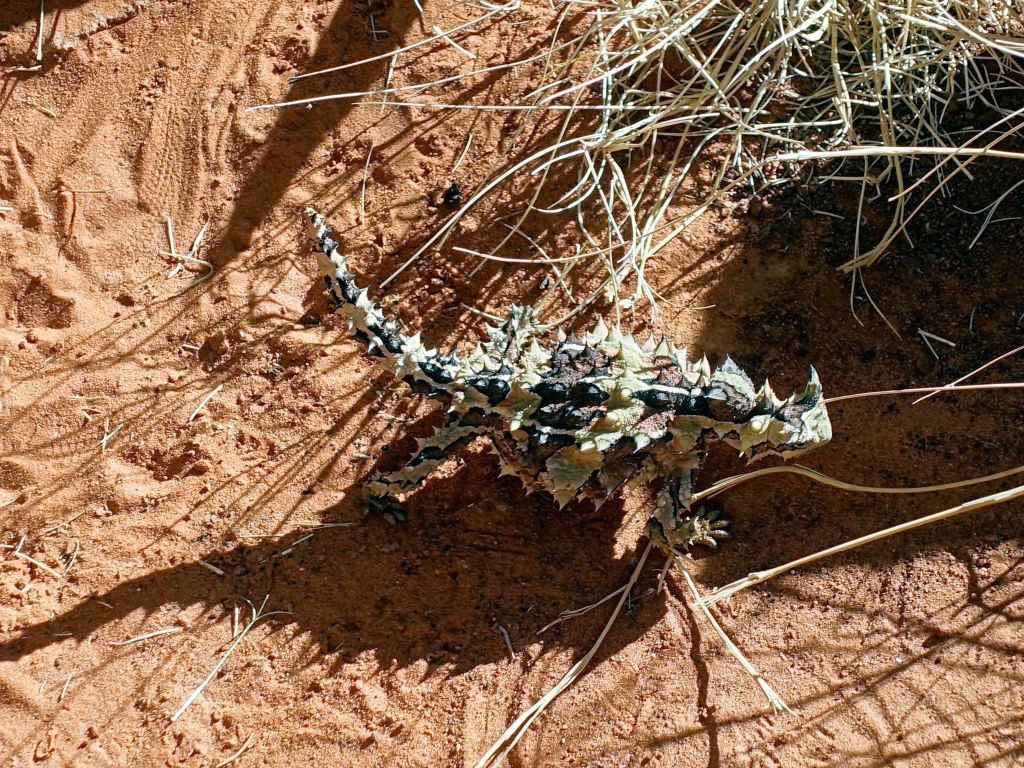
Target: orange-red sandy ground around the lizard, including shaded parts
<point x="386" y="648"/>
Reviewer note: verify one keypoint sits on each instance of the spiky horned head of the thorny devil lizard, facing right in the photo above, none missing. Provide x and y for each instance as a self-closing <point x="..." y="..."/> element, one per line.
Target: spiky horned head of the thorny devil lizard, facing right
<point x="786" y="429"/>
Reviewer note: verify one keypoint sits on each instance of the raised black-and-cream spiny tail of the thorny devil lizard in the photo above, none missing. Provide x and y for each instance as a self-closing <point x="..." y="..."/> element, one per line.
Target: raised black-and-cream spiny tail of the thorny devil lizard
<point x="407" y="357"/>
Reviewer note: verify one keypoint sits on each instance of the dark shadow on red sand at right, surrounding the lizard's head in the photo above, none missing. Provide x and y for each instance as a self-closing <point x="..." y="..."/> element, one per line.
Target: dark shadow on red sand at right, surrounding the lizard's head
<point x="780" y="306"/>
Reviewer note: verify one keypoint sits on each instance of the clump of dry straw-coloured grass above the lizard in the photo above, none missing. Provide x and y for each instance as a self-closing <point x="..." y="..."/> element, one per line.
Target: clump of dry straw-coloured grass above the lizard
<point x="894" y="98"/>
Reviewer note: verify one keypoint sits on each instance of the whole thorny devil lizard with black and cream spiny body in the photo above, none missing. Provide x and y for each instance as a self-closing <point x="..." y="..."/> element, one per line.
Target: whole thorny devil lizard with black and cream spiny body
<point x="581" y="421"/>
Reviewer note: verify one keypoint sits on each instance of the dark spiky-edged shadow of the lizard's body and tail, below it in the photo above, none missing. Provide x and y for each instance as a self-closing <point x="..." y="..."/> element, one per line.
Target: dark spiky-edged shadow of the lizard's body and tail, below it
<point x="435" y="588"/>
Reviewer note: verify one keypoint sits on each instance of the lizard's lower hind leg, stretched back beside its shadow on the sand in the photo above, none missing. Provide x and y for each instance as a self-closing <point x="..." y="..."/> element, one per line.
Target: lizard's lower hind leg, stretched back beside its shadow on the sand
<point x="380" y="494"/>
